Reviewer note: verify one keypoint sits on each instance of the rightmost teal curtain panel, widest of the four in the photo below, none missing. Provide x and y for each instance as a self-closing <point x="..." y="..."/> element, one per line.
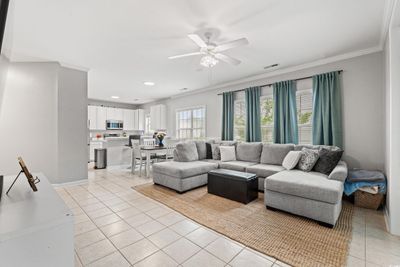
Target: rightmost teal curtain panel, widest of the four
<point x="327" y="110"/>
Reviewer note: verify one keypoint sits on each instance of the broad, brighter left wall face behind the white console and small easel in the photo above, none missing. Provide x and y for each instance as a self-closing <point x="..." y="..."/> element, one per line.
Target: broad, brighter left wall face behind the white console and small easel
<point x="28" y="118"/>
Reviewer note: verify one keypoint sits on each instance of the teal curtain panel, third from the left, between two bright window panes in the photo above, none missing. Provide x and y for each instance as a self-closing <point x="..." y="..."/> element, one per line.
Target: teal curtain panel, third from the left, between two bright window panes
<point x="285" y="113"/>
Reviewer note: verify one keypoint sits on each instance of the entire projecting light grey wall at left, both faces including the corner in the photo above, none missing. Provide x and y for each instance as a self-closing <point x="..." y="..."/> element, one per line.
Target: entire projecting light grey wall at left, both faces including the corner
<point x="43" y="119"/>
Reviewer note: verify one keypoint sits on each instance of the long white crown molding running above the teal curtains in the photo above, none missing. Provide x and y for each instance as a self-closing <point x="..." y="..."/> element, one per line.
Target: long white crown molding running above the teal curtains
<point x="286" y="70"/>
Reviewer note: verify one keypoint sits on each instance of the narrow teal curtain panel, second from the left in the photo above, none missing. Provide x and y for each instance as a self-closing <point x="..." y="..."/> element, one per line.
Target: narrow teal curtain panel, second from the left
<point x="253" y="119"/>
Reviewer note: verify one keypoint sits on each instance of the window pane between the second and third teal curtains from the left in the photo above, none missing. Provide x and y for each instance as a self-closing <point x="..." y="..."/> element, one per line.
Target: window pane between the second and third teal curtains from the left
<point x="267" y="118"/>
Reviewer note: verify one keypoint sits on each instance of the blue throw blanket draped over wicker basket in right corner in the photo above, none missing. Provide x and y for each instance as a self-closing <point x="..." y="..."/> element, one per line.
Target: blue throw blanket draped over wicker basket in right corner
<point x="359" y="178"/>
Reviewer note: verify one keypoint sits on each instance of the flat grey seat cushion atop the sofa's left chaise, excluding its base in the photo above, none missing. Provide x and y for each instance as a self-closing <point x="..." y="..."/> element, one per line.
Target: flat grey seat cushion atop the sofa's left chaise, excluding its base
<point x="183" y="169"/>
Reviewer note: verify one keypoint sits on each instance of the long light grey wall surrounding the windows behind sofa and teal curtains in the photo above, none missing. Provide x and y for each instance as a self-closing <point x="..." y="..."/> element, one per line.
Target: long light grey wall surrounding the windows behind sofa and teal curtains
<point x="363" y="98"/>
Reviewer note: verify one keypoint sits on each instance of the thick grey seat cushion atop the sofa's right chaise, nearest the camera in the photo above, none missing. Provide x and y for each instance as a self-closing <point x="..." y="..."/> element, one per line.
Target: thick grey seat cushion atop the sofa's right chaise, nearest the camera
<point x="311" y="185"/>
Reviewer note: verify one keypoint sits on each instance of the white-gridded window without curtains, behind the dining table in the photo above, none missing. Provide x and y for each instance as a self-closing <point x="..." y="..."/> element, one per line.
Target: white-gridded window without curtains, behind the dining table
<point x="191" y="123"/>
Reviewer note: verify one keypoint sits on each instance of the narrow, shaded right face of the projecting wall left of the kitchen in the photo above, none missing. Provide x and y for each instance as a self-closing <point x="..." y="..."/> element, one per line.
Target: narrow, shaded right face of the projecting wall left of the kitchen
<point x="72" y="125"/>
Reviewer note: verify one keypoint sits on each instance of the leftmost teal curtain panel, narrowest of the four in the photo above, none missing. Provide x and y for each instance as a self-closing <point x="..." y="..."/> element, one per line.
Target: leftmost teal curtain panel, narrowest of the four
<point x="227" y="115"/>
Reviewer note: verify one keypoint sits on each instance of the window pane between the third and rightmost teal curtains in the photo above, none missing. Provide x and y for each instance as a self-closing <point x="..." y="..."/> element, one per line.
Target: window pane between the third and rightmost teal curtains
<point x="304" y="116"/>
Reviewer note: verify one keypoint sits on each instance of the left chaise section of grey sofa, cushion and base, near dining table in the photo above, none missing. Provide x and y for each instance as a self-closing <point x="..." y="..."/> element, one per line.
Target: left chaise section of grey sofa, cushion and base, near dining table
<point x="182" y="176"/>
